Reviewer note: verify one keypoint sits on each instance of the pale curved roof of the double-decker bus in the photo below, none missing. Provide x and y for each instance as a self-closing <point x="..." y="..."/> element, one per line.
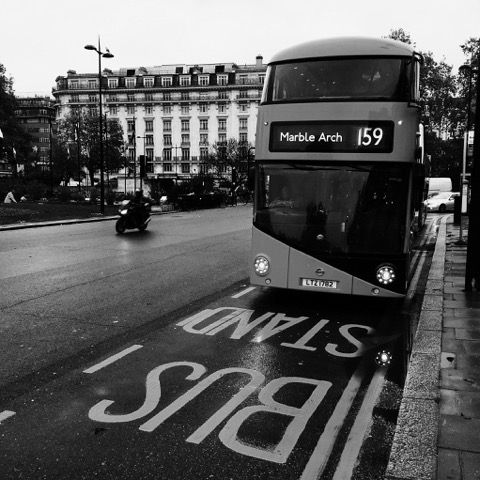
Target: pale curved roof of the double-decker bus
<point x="344" y="46"/>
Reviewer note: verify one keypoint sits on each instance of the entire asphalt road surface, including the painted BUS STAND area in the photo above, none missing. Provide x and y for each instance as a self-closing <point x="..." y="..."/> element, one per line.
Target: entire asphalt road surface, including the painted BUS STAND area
<point x="148" y="356"/>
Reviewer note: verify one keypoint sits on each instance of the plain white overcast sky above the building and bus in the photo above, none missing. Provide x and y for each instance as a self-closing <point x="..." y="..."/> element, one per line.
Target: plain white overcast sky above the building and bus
<point x="43" y="39"/>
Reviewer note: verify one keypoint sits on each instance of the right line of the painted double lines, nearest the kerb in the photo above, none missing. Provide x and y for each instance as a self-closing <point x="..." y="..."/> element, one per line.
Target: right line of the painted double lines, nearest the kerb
<point x="360" y="428"/>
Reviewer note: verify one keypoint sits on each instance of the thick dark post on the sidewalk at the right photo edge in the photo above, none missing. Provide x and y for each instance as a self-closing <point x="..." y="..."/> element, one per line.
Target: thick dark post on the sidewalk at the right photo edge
<point x="472" y="268"/>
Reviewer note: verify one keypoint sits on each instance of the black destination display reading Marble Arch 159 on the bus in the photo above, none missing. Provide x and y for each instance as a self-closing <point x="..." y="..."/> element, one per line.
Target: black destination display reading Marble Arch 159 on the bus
<point x="341" y="137"/>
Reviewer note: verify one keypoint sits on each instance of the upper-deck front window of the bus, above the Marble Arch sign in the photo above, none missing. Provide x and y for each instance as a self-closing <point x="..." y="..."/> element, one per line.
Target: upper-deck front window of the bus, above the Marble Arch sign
<point x="377" y="78"/>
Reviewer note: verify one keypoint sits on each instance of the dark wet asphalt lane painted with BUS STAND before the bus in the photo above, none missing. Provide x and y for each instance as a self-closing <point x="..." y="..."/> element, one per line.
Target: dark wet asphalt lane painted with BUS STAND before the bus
<point x="259" y="384"/>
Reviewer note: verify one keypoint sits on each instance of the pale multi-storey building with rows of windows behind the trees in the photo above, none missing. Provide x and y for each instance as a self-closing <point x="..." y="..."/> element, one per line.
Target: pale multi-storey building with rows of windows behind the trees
<point x="175" y="113"/>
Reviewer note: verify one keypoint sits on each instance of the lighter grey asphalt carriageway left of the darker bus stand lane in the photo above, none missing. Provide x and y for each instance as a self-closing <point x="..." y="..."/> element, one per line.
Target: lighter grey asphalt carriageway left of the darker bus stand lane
<point x="66" y="289"/>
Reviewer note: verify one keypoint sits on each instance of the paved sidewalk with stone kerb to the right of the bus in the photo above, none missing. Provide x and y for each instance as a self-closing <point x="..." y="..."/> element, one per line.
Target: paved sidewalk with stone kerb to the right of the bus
<point x="438" y="427"/>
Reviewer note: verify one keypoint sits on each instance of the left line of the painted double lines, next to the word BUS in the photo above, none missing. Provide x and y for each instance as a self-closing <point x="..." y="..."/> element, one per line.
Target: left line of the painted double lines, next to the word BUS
<point x="319" y="458"/>
